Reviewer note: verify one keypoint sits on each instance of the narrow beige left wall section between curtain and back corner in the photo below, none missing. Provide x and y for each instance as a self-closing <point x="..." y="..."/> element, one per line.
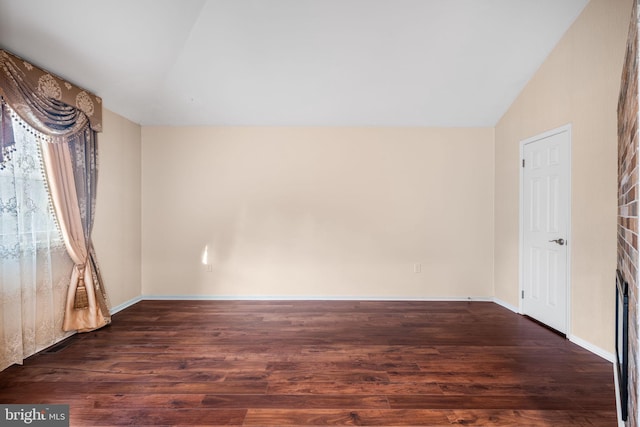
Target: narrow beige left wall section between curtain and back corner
<point x="117" y="229"/>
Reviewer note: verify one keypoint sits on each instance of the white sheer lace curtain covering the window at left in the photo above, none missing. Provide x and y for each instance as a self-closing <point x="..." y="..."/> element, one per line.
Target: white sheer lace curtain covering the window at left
<point x="34" y="265"/>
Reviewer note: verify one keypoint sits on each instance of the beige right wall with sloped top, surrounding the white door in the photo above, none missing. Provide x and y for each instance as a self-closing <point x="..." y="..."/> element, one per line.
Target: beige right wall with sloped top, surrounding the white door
<point x="577" y="84"/>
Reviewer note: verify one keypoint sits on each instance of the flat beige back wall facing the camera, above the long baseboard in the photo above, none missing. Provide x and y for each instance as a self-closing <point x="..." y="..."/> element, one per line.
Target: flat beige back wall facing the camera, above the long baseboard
<point x="318" y="212"/>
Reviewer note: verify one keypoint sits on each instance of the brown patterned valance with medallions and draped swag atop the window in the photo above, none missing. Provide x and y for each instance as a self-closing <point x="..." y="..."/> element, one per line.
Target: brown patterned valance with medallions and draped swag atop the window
<point x="45" y="101"/>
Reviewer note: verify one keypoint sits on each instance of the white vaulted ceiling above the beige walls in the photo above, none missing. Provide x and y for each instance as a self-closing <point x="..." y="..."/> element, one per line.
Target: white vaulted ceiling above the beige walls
<point x="455" y="63"/>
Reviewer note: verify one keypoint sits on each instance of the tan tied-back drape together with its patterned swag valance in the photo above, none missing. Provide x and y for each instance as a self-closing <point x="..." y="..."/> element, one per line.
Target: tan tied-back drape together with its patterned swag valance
<point x="71" y="116"/>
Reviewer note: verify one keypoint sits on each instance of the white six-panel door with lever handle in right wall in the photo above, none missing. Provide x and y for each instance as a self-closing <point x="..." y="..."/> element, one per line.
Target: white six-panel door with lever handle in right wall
<point x="545" y="228"/>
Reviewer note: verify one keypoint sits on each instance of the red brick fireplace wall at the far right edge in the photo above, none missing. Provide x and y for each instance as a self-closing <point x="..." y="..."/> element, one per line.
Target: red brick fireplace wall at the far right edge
<point x="628" y="202"/>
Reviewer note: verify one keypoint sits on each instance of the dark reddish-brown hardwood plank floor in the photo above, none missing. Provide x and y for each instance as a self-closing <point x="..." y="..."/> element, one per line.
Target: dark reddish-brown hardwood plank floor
<point x="284" y="363"/>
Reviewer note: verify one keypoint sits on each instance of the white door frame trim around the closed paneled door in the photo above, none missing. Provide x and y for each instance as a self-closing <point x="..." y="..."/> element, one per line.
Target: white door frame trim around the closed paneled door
<point x="566" y="128"/>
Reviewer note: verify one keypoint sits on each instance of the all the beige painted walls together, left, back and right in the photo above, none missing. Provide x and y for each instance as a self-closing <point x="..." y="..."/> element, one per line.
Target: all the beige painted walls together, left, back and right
<point x="346" y="212"/>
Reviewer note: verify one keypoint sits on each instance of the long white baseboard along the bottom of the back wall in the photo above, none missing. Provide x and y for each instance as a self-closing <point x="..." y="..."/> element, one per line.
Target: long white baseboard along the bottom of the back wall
<point x="305" y="298"/>
